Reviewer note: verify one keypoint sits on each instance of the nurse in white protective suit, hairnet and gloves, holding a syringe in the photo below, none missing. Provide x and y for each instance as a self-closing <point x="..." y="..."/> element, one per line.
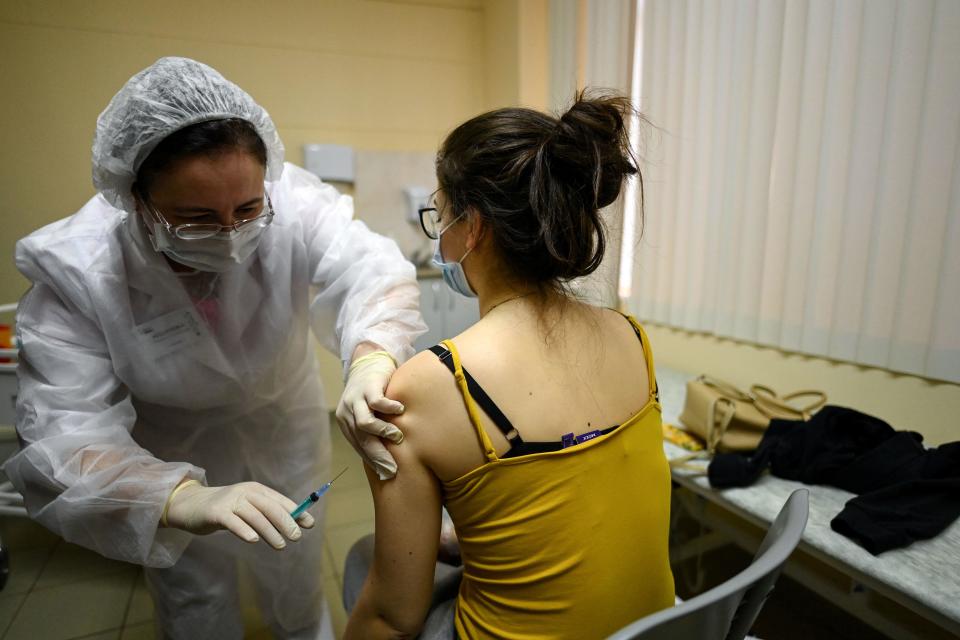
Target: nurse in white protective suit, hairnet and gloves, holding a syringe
<point x="168" y="388"/>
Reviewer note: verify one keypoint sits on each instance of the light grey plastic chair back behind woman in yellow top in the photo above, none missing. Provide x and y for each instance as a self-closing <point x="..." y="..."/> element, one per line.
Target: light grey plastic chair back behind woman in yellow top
<point x="727" y="611"/>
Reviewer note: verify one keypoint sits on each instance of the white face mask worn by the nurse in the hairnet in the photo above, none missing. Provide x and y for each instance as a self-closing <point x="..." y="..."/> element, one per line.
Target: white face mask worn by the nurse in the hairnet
<point x="218" y="253"/>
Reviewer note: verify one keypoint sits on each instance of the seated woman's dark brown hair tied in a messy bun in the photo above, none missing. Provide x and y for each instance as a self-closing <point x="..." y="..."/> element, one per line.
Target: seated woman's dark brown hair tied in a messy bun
<point x="538" y="182"/>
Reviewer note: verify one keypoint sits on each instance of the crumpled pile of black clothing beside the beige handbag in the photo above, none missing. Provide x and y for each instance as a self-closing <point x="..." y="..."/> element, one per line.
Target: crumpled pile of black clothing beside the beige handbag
<point x="906" y="492"/>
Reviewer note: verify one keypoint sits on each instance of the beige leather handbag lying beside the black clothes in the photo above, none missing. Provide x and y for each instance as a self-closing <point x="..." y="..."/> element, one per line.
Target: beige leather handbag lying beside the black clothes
<point x="728" y="419"/>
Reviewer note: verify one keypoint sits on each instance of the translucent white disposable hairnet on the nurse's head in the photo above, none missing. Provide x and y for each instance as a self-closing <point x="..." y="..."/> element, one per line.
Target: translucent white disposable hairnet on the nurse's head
<point x="169" y="95"/>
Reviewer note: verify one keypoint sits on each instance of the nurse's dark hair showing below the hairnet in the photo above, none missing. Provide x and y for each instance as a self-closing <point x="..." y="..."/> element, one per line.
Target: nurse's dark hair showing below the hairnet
<point x="209" y="138"/>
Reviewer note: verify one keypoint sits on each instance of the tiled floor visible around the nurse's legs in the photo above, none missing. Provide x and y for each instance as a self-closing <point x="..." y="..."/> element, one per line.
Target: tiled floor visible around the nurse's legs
<point x="58" y="591"/>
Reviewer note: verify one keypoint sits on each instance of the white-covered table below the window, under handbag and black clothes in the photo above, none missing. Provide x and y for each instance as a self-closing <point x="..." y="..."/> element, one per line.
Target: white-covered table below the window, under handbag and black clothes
<point x="924" y="577"/>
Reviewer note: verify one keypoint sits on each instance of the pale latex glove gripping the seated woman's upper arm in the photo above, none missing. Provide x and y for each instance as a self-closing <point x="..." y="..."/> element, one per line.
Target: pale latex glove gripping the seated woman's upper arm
<point x="362" y="395"/>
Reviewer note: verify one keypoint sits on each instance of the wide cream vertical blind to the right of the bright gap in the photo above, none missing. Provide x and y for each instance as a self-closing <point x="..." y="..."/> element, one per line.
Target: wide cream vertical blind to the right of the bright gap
<point x="803" y="186"/>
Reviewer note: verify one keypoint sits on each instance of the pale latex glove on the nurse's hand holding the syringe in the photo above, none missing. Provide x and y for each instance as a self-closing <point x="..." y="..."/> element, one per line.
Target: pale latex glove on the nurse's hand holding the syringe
<point x="249" y="510"/>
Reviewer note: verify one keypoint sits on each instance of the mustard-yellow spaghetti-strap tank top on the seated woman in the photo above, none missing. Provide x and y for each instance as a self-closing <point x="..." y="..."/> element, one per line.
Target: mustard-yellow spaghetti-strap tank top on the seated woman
<point x="571" y="543"/>
